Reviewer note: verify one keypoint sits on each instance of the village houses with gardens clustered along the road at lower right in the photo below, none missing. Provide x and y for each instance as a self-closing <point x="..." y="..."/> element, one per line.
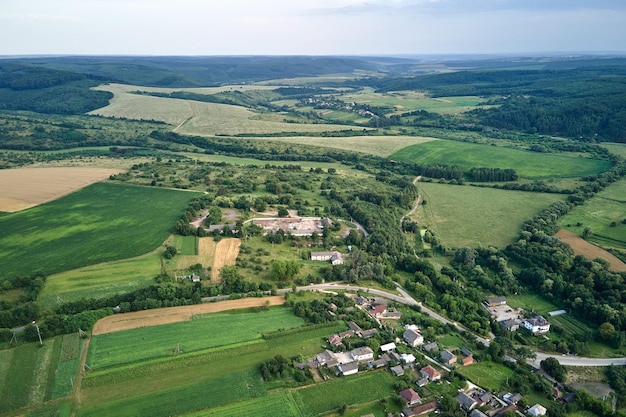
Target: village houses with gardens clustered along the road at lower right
<point x="400" y="358"/>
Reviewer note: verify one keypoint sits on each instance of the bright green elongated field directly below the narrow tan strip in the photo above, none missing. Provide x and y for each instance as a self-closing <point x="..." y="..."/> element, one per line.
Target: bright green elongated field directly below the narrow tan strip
<point x="210" y="331"/>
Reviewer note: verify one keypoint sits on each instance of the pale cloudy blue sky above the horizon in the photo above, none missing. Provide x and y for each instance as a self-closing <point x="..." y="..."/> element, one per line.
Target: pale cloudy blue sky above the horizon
<point x="310" y="27"/>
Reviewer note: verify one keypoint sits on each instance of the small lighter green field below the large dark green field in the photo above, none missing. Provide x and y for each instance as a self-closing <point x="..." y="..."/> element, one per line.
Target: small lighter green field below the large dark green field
<point x="101" y="280"/>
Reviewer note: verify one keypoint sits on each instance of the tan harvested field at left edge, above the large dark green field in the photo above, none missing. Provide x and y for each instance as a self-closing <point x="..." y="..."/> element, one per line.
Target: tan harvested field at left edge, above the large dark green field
<point x="22" y="188"/>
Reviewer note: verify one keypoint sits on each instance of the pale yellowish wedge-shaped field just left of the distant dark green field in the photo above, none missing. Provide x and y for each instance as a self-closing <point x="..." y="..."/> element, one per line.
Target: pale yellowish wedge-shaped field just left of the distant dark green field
<point x="374" y="145"/>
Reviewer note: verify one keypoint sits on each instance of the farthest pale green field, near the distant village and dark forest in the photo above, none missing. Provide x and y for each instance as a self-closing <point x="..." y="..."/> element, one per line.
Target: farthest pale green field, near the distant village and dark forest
<point x="408" y="101"/>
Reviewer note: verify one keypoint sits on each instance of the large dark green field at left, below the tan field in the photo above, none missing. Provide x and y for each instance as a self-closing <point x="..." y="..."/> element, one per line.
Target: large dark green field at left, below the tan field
<point x="102" y="222"/>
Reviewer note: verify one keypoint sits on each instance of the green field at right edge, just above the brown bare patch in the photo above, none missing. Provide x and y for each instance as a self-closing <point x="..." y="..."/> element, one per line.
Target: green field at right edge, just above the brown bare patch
<point x="599" y="213"/>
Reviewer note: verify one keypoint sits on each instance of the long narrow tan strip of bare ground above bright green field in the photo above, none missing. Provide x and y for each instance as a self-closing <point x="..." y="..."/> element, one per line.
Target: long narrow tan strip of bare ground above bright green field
<point x="137" y="319"/>
